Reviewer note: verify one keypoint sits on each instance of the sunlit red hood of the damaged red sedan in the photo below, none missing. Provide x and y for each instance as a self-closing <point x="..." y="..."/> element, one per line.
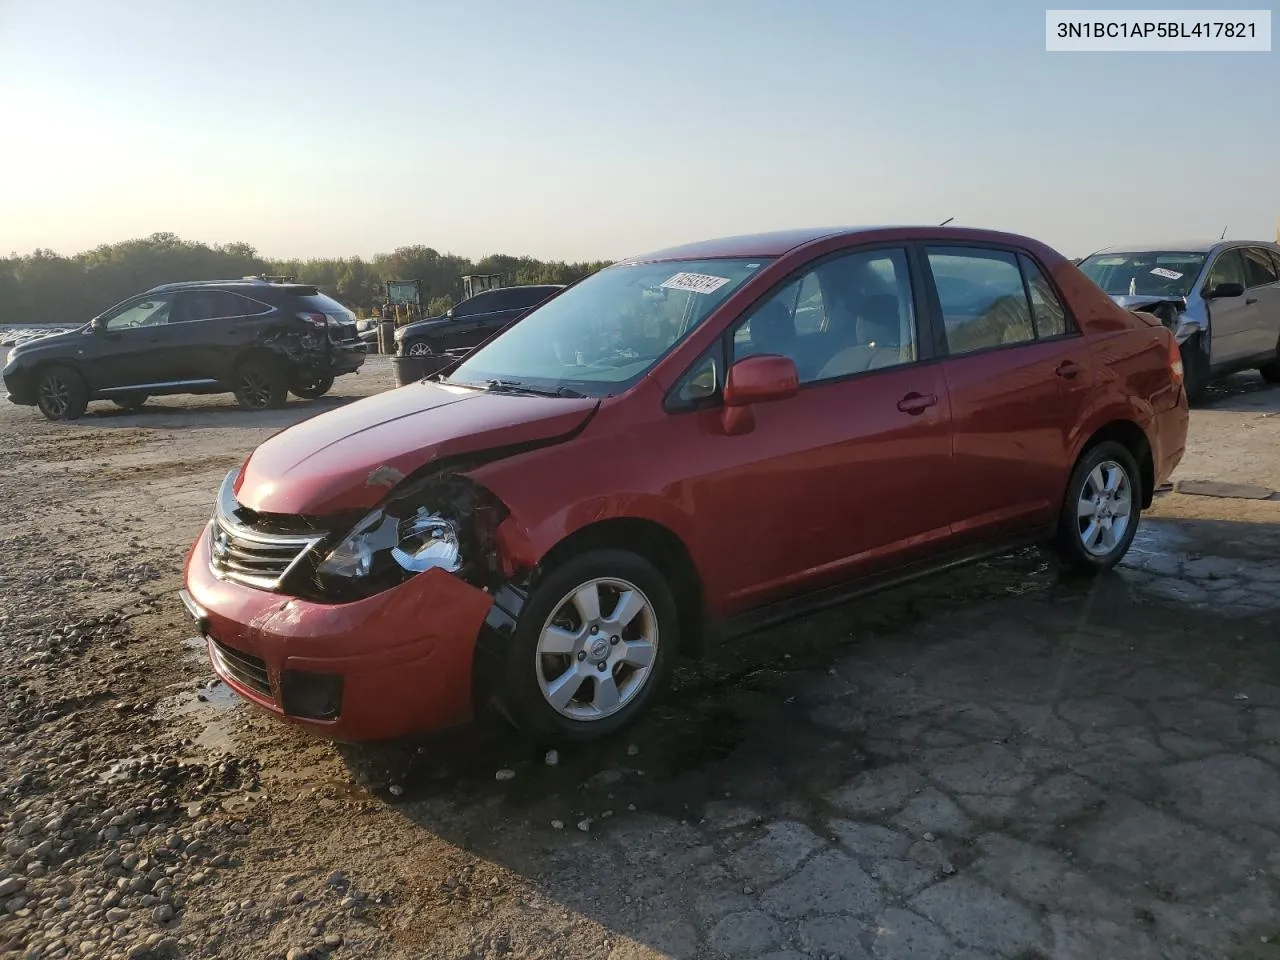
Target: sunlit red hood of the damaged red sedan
<point x="351" y="458"/>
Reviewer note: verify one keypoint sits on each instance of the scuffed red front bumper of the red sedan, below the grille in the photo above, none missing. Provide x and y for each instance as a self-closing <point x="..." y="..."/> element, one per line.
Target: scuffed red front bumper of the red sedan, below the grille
<point x="394" y="665"/>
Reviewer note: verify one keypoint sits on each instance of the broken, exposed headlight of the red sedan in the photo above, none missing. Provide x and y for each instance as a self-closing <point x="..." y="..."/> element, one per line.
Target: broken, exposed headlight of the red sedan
<point x="445" y="524"/>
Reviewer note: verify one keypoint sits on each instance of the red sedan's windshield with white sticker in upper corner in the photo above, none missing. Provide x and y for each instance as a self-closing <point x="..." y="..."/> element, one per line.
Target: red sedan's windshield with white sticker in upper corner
<point x="604" y="335"/>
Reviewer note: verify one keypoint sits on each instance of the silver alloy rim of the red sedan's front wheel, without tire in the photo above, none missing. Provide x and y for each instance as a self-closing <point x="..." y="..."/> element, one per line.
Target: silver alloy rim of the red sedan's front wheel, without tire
<point x="597" y="650"/>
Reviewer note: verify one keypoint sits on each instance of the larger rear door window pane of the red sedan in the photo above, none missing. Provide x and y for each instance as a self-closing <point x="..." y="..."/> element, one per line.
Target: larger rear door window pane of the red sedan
<point x="982" y="299"/>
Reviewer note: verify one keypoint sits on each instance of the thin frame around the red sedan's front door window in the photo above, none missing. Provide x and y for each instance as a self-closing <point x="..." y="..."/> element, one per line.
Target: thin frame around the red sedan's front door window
<point x="925" y="345"/>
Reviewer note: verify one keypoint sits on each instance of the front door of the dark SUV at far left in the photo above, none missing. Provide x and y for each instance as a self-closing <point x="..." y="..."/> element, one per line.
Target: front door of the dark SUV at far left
<point x="132" y="348"/>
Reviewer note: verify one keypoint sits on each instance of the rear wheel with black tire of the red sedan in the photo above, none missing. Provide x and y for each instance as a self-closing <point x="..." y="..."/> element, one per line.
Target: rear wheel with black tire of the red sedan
<point x="1101" y="511"/>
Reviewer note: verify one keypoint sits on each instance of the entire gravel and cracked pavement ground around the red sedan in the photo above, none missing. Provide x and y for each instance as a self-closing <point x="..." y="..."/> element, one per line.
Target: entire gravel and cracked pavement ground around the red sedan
<point x="991" y="765"/>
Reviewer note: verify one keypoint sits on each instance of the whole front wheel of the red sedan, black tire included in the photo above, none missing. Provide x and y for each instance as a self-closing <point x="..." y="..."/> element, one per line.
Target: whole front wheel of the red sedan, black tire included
<point x="592" y="650"/>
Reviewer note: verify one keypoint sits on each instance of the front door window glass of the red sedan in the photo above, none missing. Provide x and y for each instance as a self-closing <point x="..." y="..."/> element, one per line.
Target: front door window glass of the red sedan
<point x="845" y="317"/>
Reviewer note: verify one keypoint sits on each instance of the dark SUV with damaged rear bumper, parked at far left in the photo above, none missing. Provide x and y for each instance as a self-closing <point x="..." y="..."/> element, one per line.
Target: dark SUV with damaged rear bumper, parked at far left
<point x="260" y="339"/>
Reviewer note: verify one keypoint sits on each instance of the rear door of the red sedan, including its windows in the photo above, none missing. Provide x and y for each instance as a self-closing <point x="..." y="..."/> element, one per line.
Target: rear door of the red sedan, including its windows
<point x="1020" y="376"/>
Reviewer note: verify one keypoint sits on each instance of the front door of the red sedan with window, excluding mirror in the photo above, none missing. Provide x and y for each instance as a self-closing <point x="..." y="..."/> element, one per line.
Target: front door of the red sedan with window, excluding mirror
<point x="848" y="478"/>
